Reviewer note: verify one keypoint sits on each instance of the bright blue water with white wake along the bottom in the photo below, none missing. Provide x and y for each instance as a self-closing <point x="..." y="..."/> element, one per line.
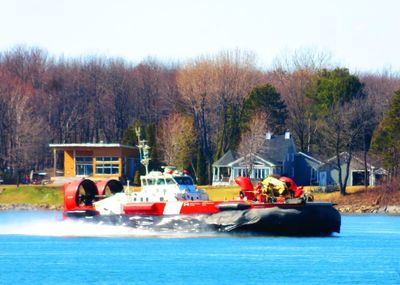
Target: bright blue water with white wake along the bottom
<point x="39" y="248"/>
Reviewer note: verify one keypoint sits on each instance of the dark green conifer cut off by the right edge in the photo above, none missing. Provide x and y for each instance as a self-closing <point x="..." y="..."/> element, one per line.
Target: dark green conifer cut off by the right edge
<point x="386" y="139"/>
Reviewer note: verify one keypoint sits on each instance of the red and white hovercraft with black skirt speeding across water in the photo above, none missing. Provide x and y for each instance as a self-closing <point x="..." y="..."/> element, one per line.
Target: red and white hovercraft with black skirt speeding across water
<point x="170" y="200"/>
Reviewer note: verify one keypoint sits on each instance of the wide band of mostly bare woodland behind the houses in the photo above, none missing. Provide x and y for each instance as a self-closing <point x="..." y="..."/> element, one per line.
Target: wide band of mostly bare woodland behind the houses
<point x="191" y="113"/>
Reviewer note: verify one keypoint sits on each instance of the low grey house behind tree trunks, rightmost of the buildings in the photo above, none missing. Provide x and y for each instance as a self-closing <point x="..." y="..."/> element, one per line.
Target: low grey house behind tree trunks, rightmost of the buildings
<point x="328" y="173"/>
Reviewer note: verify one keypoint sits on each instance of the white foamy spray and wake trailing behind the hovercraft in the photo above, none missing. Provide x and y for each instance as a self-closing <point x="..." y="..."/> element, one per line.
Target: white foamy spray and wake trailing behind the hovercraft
<point x="32" y="223"/>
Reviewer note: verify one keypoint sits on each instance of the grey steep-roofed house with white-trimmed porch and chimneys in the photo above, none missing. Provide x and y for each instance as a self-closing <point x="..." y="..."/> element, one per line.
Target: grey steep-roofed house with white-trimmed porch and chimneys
<point x="276" y="156"/>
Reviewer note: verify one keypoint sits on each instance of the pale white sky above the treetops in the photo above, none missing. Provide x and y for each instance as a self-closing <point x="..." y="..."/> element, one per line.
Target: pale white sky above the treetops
<point x="362" y="35"/>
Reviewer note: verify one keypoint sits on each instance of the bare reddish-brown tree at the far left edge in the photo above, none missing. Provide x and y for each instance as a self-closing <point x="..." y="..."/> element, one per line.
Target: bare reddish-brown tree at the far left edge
<point x="23" y="130"/>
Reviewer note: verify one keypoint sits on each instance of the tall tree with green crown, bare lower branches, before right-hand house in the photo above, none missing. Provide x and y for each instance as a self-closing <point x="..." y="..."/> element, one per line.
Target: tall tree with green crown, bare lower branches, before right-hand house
<point x="338" y="103"/>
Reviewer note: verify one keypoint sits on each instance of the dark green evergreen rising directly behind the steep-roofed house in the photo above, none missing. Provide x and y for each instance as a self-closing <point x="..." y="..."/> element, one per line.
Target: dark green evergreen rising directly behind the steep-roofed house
<point x="267" y="100"/>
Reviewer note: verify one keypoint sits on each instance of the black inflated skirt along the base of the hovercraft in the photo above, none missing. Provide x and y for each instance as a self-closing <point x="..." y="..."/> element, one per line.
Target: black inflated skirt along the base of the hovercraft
<point x="307" y="219"/>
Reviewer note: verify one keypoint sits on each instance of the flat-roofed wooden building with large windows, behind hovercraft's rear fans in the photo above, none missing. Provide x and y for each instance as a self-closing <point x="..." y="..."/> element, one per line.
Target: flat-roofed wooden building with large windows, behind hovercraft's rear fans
<point x="97" y="160"/>
